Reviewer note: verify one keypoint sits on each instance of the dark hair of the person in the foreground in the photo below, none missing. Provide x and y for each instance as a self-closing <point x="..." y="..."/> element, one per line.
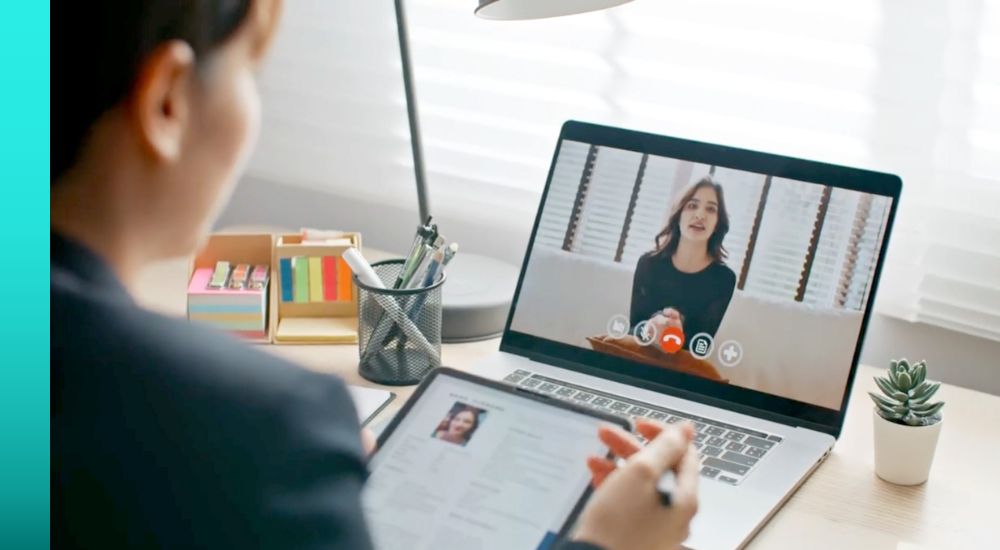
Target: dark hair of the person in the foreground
<point x="98" y="46"/>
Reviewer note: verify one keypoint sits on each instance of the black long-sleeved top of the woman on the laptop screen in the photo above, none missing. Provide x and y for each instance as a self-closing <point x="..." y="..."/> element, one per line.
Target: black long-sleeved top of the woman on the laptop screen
<point x="701" y="298"/>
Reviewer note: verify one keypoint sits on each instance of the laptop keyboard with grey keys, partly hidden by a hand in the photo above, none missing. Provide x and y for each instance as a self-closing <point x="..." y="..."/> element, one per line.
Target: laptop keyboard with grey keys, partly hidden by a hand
<point x="728" y="453"/>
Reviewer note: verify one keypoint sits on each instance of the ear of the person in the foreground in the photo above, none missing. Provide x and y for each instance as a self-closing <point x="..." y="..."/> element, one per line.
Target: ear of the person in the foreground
<point x="160" y="106"/>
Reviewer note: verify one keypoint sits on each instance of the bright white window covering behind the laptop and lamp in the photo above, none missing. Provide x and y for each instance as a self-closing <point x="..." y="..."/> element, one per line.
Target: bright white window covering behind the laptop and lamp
<point x="904" y="86"/>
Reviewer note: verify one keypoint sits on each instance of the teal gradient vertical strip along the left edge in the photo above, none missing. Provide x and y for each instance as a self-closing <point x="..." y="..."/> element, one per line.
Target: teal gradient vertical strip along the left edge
<point x="24" y="162"/>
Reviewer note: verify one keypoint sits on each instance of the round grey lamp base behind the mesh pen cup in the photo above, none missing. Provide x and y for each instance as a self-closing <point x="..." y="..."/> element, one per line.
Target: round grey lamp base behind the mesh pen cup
<point x="476" y="298"/>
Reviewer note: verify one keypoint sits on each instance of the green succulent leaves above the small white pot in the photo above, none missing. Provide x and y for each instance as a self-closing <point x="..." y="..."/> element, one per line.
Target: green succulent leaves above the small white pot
<point x="907" y="394"/>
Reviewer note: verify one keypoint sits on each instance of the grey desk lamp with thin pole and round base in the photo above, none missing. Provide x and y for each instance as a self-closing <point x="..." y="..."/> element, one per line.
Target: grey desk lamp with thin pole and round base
<point x="479" y="290"/>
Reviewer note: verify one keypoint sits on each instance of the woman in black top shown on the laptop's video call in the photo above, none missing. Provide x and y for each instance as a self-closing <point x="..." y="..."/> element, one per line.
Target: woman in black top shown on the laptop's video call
<point x="684" y="282"/>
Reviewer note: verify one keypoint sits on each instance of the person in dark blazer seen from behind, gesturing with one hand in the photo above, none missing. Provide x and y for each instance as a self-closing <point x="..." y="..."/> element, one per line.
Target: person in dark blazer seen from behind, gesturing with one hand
<point x="167" y="435"/>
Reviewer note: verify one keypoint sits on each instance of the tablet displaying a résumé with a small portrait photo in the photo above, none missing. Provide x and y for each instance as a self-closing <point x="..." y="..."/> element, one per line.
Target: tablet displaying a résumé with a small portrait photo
<point x="473" y="463"/>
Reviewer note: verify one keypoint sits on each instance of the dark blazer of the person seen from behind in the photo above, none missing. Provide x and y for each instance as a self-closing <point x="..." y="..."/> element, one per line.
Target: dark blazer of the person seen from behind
<point x="168" y="435"/>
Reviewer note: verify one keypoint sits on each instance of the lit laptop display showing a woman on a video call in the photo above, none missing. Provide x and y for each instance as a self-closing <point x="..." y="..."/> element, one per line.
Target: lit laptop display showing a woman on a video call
<point x="743" y="278"/>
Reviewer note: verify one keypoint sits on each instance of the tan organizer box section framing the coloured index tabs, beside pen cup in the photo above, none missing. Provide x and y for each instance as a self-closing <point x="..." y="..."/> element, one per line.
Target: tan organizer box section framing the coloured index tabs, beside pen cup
<point x="325" y="322"/>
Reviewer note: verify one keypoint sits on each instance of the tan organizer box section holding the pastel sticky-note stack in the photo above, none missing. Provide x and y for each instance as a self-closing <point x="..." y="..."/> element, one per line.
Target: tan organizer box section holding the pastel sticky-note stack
<point x="239" y="248"/>
